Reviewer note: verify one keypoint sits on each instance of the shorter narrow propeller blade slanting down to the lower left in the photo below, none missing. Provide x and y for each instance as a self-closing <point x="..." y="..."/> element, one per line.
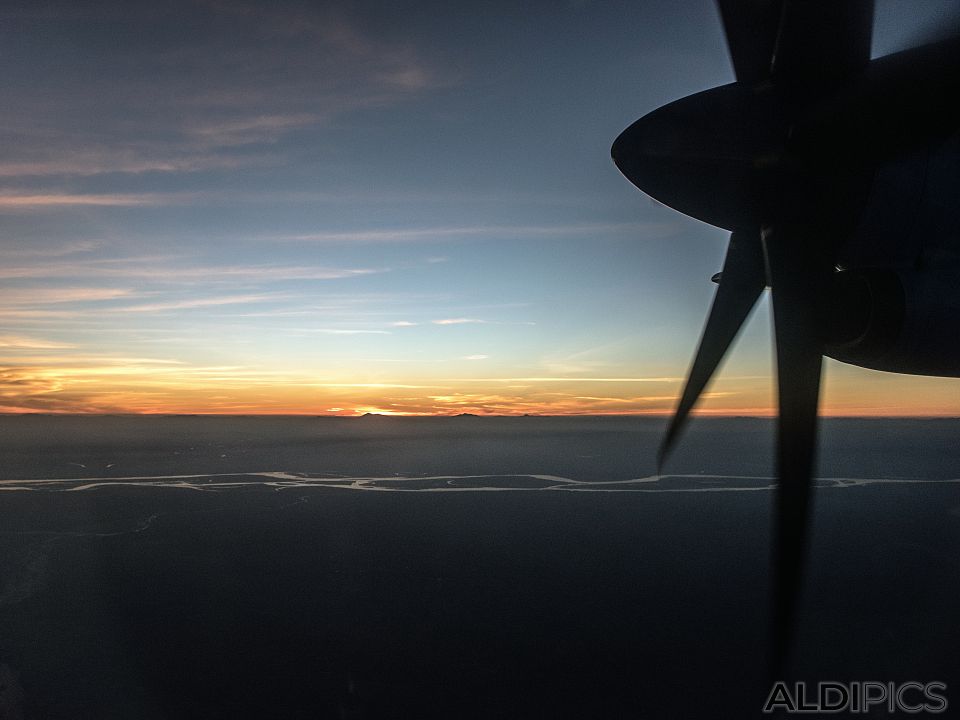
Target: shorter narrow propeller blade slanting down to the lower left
<point x="740" y="283"/>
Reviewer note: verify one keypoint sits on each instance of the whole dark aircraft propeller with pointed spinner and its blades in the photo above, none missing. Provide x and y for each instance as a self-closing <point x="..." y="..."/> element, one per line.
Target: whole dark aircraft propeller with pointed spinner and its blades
<point x="734" y="157"/>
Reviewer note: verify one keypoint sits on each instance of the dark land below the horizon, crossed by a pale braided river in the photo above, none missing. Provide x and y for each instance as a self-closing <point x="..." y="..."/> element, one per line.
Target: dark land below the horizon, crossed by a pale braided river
<point x="469" y="567"/>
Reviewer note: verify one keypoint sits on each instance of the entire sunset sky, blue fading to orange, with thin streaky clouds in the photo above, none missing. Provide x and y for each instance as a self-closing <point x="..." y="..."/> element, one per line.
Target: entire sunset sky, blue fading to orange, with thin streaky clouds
<point x="349" y="207"/>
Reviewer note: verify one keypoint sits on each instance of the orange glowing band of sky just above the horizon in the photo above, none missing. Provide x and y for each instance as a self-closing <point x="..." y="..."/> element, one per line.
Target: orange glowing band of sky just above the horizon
<point x="142" y="386"/>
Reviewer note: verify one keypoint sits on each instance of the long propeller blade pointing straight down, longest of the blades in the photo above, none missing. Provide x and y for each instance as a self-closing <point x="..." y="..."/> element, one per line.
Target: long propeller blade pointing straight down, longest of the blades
<point x="797" y="276"/>
